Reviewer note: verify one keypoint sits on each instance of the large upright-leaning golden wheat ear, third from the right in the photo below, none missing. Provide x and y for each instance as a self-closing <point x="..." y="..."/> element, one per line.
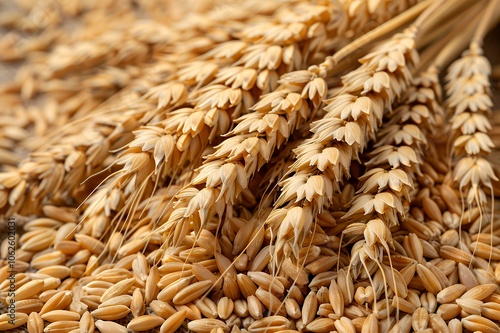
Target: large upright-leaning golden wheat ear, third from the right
<point x="354" y="115"/>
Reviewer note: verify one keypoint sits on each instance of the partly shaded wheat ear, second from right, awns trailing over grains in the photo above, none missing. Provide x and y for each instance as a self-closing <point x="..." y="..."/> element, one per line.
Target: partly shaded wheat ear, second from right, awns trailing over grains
<point x="389" y="180"/>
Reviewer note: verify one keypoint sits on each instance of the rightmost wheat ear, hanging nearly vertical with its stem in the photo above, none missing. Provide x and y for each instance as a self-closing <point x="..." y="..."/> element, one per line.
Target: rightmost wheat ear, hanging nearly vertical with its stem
<point x="470" y="104"/>
